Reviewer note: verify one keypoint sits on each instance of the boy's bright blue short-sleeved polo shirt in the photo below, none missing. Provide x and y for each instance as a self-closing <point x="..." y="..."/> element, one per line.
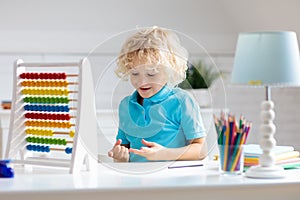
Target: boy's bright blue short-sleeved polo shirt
<point x="170" y="118"/>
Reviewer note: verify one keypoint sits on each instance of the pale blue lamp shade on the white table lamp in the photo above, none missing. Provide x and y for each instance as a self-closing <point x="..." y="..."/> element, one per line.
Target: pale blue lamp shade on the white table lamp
<point x="267" y="59"/>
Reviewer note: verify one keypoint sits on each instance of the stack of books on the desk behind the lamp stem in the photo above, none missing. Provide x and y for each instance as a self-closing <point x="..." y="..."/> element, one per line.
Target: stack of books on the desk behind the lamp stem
<point x="285" y="156"/>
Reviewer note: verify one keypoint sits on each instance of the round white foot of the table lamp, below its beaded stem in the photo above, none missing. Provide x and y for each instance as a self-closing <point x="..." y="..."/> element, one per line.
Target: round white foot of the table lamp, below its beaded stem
<point x="265" y="172"/>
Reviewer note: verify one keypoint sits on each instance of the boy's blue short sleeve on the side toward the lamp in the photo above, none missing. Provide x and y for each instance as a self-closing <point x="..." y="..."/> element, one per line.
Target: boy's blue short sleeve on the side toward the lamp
<point x="191" y="120"/>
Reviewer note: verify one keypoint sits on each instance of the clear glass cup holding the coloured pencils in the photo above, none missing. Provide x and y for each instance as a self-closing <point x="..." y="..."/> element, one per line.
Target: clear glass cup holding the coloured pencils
<point x="231" y="159"/>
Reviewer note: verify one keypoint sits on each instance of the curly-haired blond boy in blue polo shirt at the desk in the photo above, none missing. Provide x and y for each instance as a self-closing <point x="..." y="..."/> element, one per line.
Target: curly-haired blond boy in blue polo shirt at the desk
<point x="159" y="121"/>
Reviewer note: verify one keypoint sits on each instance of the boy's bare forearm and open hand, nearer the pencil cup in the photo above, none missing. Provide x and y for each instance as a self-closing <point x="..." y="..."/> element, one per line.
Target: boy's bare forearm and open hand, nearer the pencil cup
<point x="196" y="150"/>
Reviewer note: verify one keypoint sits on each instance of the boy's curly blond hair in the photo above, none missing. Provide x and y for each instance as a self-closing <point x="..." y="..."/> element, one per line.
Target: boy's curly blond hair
<point x="157" y="46"/>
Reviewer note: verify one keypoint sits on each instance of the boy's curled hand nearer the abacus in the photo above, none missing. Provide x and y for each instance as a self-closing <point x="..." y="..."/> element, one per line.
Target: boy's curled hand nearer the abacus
<point x="119" y="153"/>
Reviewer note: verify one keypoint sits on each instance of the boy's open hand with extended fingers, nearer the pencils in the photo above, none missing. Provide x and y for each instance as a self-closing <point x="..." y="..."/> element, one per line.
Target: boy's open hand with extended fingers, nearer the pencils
<point x="152" y="151"/>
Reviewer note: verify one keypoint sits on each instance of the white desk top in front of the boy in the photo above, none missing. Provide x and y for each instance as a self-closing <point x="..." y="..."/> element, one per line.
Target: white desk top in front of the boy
<point x="184" y="183"/>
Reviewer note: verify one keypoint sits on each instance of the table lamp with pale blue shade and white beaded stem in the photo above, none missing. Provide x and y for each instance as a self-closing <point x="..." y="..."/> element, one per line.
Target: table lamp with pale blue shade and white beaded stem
<point x="266" y="59"/>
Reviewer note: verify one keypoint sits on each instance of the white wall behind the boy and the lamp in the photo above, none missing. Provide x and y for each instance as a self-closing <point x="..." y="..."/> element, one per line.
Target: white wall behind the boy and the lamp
<point x="69" y="30"/>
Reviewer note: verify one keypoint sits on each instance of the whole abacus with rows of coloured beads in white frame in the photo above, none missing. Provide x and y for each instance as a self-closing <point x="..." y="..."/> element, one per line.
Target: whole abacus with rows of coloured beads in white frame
<point x="53" y="119"/>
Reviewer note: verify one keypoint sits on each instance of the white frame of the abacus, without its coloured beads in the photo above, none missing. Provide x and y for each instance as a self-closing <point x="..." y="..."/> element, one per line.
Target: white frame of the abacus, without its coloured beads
<point x="84" y="144"/>
